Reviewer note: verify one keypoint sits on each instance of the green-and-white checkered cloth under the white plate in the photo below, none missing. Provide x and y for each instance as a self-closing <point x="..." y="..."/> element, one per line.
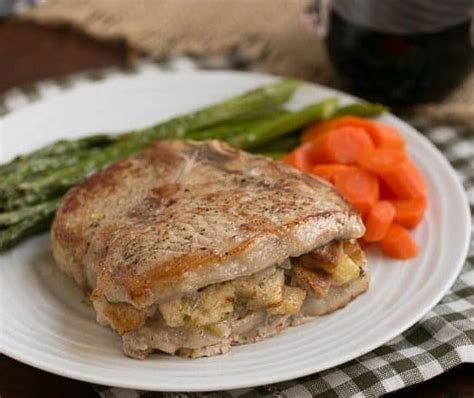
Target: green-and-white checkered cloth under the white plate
<point x="443" y="339"/>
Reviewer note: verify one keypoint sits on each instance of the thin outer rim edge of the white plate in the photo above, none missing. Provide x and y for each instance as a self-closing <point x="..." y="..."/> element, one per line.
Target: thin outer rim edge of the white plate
<point x="417" y="315"/>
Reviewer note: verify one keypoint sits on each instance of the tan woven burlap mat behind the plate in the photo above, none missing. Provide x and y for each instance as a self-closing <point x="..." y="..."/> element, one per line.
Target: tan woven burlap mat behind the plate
<point x="265" y="35"/>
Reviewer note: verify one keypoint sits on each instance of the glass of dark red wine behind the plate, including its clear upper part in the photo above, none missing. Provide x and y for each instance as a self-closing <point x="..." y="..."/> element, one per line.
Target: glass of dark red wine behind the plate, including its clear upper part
<point x="398" y="52"/>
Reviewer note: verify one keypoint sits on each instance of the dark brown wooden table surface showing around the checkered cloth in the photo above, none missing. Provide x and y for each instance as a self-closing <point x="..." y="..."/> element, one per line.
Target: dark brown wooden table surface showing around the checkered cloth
<point x="29" y="53"/>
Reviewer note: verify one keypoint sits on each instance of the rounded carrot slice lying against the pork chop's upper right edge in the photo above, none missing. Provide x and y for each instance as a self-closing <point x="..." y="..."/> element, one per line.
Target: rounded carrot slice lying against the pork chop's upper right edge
<point x="358" y="187"/>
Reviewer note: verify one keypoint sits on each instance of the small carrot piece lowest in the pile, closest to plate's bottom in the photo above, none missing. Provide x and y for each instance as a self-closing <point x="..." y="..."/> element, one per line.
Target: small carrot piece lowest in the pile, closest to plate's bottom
<point x="398" y="243"/>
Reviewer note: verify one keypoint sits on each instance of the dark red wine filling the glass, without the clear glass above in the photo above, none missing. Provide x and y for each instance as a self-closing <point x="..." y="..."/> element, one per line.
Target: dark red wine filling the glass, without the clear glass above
<point x="399" y="69"/>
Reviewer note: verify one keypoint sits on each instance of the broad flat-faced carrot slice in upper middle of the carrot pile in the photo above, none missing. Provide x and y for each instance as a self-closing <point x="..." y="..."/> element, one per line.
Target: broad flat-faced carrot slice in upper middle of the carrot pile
<point x="342" y="145"/>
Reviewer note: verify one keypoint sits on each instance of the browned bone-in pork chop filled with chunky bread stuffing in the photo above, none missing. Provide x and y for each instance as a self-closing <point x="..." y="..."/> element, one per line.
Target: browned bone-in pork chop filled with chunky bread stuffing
<point x="189" y="248"/>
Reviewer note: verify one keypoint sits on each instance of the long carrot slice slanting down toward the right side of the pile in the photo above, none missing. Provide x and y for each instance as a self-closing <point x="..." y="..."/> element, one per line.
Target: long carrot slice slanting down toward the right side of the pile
<point x="396" y="170"/>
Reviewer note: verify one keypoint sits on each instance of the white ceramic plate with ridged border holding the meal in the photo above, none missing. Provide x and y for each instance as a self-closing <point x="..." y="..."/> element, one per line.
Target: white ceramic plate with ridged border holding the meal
<point x="45" y="322"/>
